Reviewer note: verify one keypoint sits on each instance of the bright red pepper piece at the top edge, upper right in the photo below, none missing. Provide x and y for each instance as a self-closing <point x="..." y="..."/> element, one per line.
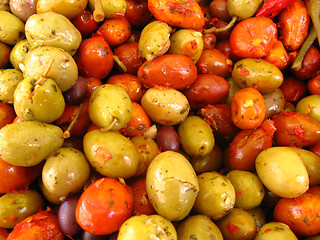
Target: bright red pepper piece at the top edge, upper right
<point x="272" y="8"/>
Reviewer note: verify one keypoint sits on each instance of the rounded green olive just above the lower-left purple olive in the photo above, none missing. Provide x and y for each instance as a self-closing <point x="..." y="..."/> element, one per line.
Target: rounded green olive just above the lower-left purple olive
<point x="65" y="172"/>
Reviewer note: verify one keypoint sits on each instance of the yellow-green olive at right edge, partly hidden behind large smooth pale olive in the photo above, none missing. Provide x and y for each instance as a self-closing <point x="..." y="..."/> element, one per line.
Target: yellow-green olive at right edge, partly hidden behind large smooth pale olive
<point x="312" y="163"/>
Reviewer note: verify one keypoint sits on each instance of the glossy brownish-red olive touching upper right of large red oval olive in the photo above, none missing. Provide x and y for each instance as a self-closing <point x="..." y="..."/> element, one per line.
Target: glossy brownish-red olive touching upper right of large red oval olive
<point x="214" y="62"/>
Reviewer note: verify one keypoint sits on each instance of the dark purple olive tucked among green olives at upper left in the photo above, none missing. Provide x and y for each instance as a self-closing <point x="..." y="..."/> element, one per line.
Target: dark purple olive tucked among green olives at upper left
<point x="77" y="93"/>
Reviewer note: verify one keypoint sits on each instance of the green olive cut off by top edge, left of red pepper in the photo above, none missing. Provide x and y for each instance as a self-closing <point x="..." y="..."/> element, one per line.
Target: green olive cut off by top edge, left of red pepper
<point x="243" y="8"/>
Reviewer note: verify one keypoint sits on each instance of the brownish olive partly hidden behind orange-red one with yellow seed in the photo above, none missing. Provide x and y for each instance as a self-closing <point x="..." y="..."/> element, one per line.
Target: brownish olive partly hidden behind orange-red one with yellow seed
<point x="275" y="102"/>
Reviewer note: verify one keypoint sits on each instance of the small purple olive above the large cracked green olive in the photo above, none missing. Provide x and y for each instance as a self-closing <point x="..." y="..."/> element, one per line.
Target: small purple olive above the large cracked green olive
<point x="167" y="138"/>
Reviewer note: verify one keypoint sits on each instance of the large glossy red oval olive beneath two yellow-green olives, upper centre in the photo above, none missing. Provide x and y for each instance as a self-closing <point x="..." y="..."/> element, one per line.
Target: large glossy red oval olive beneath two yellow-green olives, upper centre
<point x="170" y="70"/>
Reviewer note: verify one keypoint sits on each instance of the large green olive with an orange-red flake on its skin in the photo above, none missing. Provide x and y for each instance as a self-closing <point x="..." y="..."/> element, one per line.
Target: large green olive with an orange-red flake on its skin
<point x="111" y="154"/>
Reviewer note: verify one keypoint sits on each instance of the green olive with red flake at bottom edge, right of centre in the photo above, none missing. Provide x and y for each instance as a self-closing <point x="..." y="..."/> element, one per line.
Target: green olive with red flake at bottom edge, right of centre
<point x="243" y="225"/>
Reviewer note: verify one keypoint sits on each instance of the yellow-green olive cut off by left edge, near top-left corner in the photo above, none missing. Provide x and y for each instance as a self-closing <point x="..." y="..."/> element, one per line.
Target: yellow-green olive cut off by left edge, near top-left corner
<point x="11" y="28"/>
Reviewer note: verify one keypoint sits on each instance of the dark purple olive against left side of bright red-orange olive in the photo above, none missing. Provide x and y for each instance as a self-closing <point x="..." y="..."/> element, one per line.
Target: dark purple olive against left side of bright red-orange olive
<point x="66" y="216"/>
